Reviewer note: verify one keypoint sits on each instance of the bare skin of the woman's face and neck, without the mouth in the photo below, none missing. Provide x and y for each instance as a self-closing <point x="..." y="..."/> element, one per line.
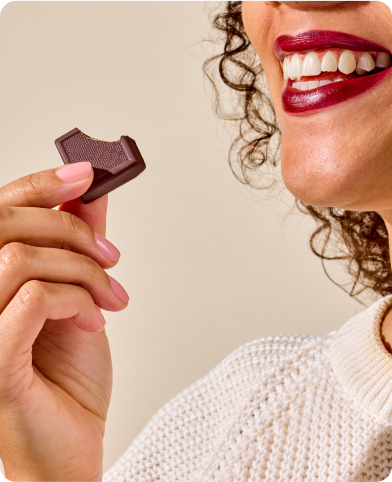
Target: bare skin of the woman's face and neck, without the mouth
<point x="339" y="156"/>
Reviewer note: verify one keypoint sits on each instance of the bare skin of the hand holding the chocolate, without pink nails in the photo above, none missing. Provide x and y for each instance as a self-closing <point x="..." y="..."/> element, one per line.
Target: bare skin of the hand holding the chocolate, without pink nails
<point x="55" y="363"/>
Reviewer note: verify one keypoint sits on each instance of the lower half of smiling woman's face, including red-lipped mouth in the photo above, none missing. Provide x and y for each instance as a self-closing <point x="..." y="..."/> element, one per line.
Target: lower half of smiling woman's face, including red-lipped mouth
<point x="337" y="137"/>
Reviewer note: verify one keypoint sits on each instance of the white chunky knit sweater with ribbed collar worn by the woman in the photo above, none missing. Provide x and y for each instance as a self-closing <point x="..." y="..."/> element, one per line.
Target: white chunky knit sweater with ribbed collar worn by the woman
<point x="282" y="408"/>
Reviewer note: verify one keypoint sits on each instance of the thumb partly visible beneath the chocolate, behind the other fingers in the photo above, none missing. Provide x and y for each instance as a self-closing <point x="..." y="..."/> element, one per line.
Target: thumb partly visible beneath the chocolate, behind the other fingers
<point x="93" y="214"/>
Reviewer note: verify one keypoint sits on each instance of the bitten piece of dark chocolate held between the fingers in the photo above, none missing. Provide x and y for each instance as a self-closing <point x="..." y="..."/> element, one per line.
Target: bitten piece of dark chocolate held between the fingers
<point x="114" y="163"/>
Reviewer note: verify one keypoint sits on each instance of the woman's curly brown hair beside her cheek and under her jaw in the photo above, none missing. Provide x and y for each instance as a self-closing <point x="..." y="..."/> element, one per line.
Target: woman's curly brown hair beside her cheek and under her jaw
<point x="358" y="239"/>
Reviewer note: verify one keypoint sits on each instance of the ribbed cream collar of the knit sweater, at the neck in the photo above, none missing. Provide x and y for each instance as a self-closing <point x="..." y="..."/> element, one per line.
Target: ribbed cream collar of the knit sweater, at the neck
<point x="361" y="363"/>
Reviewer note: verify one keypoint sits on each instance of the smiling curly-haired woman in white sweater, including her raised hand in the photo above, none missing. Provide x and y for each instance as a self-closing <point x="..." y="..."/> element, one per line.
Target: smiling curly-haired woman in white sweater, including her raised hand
<point x="301" y="408"/>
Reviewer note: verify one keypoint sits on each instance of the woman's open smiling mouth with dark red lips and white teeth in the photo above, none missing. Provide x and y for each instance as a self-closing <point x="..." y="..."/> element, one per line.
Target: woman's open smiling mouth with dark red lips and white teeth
<point x="323" y="68"/>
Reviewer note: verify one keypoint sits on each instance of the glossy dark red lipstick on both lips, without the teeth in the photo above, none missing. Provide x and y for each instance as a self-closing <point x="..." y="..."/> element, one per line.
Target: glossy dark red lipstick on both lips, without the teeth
<point x="301" y="102"/>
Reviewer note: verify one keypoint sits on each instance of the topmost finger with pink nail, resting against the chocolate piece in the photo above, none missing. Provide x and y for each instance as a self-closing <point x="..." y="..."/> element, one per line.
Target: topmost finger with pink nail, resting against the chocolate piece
<point x="47" y="189"/>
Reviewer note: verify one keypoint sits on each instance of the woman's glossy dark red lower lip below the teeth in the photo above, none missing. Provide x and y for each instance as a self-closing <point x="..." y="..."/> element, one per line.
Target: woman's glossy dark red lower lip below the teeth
<point x="301" y="102"/>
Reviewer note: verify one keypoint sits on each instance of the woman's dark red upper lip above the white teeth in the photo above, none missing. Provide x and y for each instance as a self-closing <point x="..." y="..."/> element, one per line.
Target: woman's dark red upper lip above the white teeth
<point x="322" y="39"/>
